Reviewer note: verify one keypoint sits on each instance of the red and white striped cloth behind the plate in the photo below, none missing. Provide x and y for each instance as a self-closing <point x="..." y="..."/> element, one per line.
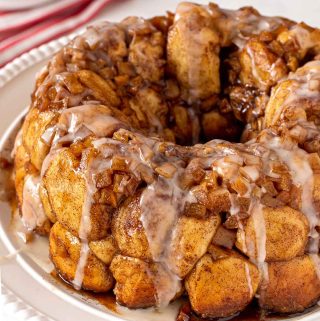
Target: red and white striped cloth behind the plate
<point x="22" y="30"/>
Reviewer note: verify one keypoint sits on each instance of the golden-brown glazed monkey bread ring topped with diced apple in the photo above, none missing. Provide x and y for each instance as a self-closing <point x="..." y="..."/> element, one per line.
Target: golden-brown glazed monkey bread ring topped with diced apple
<point x="180" y="156"/>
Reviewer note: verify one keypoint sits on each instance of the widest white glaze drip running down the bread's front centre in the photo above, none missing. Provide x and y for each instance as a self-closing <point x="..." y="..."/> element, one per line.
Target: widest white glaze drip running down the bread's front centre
<point x="161" y="203"/>
